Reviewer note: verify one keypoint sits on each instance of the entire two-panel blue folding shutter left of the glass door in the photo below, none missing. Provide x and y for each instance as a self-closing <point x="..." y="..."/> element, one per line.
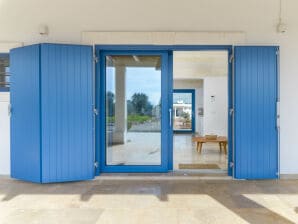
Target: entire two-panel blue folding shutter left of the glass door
<point x="52" y="113"/>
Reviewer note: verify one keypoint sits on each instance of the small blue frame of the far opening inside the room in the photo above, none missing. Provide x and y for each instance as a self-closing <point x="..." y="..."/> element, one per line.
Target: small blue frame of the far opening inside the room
<point x="193" y="110"/>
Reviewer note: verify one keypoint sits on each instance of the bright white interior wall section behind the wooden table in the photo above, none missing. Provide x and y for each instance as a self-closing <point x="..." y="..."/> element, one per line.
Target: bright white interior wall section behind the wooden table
<point x="216" y="105"/>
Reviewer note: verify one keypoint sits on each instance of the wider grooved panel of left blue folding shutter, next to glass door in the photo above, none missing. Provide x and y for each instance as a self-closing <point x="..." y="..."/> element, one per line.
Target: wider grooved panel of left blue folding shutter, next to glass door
<point x="67" y="117"/>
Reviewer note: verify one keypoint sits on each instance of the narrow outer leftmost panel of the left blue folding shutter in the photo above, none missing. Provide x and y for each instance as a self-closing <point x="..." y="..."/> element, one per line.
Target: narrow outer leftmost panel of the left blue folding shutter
<point x="25" y="117"/>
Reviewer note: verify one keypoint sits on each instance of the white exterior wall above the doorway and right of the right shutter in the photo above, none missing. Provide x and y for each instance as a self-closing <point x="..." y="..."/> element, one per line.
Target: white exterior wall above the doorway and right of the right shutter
<point x="256" y="19"/>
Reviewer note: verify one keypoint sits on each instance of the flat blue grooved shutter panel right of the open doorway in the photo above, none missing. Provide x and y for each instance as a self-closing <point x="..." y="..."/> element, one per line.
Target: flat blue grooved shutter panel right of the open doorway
<point x="256" y="137"/>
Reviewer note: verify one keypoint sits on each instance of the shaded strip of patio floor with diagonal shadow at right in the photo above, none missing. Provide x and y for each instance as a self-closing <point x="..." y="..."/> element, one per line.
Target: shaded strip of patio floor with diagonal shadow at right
<point x="229" y="193"/>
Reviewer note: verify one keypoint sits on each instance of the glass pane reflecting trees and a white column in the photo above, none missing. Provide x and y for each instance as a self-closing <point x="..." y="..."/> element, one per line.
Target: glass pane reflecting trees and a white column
<point x="133" y="109"/>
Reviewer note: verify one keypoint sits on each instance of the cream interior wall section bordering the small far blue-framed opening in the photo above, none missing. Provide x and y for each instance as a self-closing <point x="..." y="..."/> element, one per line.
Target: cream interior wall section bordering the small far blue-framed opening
<point x="197" y="85"/>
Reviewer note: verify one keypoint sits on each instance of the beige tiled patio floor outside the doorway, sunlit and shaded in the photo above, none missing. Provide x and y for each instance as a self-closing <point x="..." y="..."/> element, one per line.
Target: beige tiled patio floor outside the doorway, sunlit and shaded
<point x="142" y="201"/>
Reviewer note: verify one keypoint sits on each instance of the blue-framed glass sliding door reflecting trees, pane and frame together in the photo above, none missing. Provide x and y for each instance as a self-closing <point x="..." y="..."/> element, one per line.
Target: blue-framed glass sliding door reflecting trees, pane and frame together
<point x="135" y="117"/>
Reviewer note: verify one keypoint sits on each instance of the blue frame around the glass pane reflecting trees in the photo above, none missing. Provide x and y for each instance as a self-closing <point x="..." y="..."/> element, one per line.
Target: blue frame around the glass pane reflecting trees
<point x="101" y="123"/>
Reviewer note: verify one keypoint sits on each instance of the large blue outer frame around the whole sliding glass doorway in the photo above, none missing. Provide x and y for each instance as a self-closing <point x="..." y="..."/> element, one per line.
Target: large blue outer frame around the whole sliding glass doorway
<point x="167" y="49"/>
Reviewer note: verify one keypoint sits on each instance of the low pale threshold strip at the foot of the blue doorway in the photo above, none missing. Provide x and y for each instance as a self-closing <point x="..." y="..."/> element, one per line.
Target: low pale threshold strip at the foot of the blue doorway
<point x="173" y="175"/>
